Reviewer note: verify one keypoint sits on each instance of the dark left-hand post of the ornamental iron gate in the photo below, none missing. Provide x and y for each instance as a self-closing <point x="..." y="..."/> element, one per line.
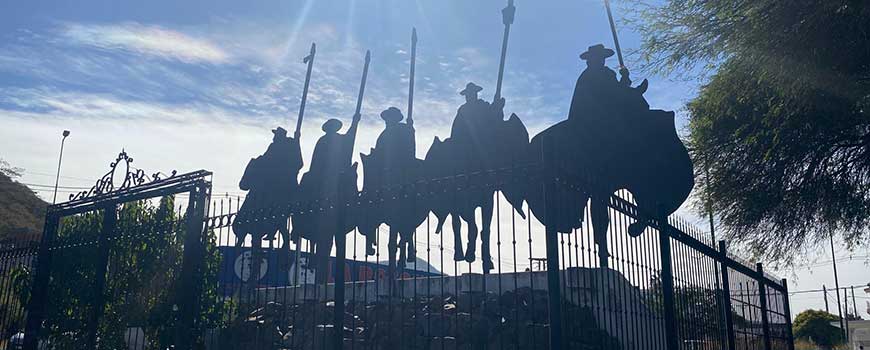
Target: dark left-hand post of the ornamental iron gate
<point x="39" y="293"/>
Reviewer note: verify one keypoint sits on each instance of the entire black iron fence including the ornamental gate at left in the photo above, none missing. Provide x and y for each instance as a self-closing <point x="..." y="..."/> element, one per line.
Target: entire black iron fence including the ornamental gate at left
<point x="151" y="275"/>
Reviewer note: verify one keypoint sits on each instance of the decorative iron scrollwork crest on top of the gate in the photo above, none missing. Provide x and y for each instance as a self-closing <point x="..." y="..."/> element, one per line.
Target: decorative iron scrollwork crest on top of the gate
<point x="132" y="177"/>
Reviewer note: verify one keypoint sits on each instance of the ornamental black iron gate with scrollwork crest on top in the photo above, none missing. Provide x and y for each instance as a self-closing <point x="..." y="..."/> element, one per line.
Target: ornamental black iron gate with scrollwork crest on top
<point x="117" y="263"/>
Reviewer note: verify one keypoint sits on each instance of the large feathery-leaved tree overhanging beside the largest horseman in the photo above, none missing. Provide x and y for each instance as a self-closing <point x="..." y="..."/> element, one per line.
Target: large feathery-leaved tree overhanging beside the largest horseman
<point x="783" y="123"/>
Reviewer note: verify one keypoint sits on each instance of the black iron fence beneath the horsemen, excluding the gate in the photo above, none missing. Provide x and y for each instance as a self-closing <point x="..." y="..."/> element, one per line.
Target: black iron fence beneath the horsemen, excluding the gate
<point x="666" y="288"/>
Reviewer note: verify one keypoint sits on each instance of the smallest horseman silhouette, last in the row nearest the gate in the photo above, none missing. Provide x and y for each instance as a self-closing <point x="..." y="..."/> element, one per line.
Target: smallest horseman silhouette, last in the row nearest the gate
<point x="270" y="180"/>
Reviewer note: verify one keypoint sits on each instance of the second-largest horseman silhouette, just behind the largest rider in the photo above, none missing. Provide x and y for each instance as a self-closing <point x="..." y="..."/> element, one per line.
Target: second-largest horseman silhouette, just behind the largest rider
<point x="480" y="143"/>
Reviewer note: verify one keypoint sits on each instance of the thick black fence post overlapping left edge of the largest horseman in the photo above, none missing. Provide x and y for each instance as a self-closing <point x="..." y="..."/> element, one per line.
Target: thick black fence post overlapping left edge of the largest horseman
<point x="553" y="285"/>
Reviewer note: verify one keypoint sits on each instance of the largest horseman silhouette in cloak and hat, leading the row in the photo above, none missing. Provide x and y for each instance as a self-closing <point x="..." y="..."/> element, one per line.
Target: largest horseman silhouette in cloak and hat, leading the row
<point x="611" y="141"/>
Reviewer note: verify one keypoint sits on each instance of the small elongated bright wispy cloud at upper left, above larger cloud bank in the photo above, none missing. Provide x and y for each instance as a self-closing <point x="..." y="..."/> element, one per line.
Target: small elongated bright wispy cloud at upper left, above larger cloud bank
<point x="148" y="40"/>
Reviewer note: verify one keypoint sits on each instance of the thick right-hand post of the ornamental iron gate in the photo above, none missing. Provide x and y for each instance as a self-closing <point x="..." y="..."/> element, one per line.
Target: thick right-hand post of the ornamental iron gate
<point x="194" y="251"/>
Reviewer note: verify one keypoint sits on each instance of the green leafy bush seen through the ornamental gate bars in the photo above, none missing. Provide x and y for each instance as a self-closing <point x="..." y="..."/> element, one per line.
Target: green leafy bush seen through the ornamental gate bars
<point x="142" y="278"/>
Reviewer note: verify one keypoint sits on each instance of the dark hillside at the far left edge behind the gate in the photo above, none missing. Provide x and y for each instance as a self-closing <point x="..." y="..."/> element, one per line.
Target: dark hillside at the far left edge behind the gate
<point x="21" y="211"/>
